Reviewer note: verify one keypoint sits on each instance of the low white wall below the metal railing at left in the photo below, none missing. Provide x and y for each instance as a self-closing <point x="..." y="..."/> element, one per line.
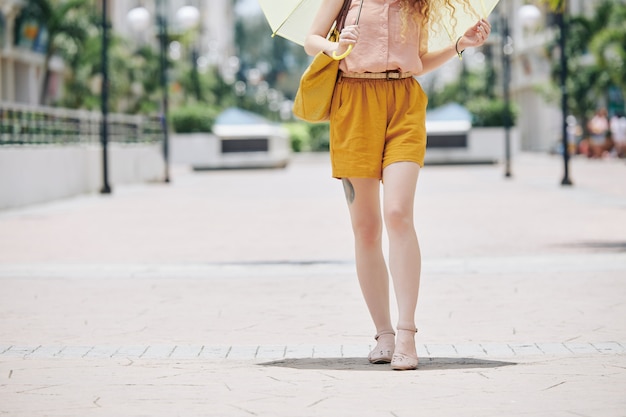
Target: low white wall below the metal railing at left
<point x="36" y="174"/>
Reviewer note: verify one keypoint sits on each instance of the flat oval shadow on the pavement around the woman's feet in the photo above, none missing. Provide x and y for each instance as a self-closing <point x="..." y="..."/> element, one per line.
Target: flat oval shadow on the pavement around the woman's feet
<point x="361" y="364"/>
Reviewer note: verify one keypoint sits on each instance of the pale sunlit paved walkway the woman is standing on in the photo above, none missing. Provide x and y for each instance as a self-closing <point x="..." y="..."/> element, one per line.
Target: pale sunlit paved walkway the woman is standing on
<point x="232" y="293"/>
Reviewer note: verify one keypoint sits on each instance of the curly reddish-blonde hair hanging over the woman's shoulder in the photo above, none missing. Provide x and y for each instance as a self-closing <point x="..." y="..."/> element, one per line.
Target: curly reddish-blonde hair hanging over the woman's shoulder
<point x="430" y="12"/>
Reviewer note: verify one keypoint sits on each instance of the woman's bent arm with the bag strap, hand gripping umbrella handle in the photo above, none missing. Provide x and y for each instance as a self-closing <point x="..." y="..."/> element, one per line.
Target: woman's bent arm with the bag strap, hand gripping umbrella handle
<point x="316" y="39"/>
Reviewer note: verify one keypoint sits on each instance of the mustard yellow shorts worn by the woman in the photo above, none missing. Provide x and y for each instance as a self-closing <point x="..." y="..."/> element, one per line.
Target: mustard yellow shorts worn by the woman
<point x="374" y="123"/>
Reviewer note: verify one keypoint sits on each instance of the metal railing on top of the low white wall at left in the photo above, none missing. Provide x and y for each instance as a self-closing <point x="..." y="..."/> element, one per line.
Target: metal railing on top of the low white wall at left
<point x="22" y="124"/>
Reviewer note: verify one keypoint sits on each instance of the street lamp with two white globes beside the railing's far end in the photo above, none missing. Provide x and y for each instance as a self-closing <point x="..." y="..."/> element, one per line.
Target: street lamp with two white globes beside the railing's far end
<point x="139" y="20"/>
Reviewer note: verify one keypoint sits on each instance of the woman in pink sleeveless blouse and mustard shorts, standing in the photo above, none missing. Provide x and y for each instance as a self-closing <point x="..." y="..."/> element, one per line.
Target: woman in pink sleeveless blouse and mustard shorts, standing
<point x="378" y="135"/>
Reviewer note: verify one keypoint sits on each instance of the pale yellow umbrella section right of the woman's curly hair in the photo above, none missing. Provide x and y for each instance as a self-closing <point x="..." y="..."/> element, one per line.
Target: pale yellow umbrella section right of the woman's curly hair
<point x="447" y="32"/>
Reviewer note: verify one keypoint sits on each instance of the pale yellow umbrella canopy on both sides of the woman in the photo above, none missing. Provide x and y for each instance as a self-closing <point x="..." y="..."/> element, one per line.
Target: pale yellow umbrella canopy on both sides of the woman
<point x="292" y="19"/>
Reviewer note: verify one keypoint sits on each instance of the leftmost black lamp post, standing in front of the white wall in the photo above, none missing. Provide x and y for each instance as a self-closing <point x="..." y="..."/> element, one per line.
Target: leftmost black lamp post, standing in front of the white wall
<point x="104" y="128"/>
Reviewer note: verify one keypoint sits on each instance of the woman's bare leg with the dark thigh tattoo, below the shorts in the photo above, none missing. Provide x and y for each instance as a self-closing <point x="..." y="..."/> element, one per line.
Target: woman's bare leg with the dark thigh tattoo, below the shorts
<point x="363" y="197"/>
